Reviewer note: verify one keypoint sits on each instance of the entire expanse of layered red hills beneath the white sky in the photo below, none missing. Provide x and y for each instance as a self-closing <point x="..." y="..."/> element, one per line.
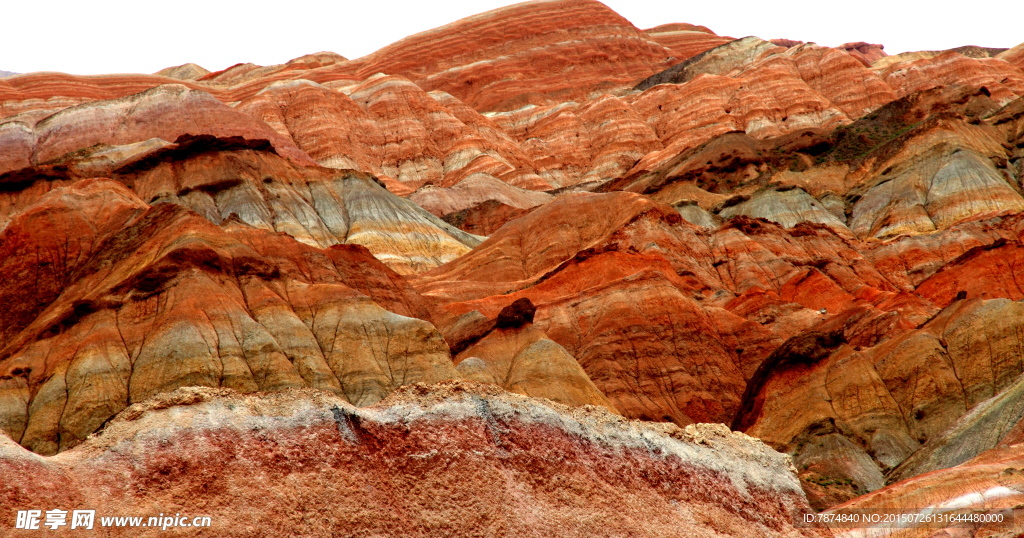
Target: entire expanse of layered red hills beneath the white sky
<point x="817" y="246"/>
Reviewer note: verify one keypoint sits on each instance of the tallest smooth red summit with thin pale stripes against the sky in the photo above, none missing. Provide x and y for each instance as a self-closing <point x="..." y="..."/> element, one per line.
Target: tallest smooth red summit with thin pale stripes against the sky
<point x="530" y="53"/>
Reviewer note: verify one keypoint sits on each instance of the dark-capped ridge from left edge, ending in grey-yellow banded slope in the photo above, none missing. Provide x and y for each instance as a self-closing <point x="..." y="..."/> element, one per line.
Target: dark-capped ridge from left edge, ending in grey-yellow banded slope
<point x="222" y="179"/>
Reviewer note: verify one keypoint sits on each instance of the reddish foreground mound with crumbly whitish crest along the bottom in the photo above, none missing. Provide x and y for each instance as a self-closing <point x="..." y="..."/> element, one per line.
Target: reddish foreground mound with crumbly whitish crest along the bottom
<point x="455" y="460"/>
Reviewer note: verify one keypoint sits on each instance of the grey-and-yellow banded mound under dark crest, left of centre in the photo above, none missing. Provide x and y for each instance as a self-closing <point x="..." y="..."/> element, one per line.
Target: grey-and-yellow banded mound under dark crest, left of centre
<point x="316" y="206"/>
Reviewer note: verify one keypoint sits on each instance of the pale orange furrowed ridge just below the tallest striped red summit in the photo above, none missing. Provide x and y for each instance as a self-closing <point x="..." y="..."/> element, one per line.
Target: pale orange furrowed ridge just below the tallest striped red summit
<point x="393" y="129"/>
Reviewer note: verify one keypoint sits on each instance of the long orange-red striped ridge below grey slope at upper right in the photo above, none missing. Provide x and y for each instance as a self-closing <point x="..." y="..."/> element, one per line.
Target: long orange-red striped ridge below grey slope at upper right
<point x="780" y="93"/>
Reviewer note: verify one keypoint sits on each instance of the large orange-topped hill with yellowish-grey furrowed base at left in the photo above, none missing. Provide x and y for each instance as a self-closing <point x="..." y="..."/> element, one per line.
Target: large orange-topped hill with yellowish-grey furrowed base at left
<point x="111" y="302"/>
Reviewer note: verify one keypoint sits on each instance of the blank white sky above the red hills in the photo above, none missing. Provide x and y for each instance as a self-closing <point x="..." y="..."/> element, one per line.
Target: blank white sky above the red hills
<point x="145" y="36"/>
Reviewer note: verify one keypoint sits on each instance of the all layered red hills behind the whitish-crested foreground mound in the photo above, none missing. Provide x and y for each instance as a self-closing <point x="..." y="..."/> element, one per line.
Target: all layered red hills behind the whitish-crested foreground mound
<point x="818" y="245"/>
